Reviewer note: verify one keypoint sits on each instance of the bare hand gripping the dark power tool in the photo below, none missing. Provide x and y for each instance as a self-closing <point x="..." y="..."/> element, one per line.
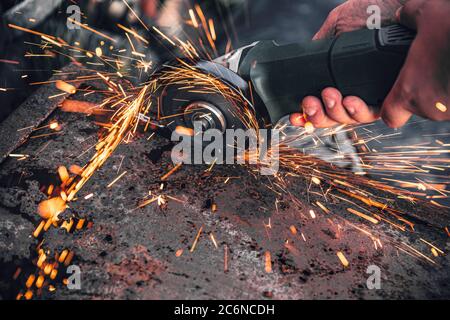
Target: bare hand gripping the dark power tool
<point x="423" y="85"/>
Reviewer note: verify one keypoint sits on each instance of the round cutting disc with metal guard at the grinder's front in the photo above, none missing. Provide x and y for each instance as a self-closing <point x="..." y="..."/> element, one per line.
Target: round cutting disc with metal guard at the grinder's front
<point x="206" y="92"/>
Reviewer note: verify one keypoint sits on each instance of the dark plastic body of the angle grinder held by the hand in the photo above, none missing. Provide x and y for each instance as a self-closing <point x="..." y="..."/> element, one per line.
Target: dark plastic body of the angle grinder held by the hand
<point x="363" y="63"/>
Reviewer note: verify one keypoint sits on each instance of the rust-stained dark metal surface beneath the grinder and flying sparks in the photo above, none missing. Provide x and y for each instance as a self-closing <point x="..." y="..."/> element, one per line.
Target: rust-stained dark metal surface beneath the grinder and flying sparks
<point x="129" y="253"/>
